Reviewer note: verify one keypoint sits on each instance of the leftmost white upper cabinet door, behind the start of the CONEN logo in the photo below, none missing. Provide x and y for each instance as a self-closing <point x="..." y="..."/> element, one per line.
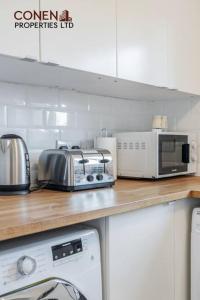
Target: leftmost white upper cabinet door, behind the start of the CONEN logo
<point x="15" y="41"/>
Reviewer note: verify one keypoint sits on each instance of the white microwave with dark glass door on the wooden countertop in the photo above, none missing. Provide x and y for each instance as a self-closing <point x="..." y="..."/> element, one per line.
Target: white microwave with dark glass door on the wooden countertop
<point x="155" y="154"/>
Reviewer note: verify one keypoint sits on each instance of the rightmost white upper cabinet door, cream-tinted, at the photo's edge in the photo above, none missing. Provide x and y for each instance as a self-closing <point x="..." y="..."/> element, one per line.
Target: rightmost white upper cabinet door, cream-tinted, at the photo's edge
<point x="184" y="45"/>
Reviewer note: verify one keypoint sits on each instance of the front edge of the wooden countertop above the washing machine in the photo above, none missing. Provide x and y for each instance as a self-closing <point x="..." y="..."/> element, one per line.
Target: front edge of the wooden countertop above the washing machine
<point x="59" y="222"/>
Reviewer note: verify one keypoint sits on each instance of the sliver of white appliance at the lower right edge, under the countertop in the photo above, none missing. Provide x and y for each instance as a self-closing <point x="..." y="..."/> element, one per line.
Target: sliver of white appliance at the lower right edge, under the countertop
<point x="195" y="257"/>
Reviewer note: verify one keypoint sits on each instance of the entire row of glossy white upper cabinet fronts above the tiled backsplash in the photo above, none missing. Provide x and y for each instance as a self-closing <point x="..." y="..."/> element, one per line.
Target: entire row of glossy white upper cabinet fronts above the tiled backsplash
<point x="155" y="42"/>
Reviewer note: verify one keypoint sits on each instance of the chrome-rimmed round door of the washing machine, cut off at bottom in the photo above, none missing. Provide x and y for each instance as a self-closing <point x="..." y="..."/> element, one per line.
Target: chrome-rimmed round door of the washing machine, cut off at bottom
<point x="49" y="289"/>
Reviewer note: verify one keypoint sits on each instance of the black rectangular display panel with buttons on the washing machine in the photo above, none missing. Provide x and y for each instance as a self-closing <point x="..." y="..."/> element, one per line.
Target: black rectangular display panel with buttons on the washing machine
<point x="67" y="249"/>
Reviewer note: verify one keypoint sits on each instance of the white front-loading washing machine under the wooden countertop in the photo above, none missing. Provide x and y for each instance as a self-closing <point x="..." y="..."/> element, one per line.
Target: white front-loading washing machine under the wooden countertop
<point x="62" y="265"/>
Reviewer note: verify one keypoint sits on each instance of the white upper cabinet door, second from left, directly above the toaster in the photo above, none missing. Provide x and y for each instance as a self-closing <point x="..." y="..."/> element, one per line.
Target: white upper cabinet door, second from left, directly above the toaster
<point x="91" y="44"/>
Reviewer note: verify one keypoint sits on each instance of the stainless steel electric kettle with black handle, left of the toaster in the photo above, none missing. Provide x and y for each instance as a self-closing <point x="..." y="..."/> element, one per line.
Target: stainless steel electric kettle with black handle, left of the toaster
<point x="14" y="165"/>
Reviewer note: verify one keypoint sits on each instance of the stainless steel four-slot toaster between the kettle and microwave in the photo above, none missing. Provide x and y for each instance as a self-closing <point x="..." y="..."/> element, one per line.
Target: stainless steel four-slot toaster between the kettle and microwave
<point x="71" y="170"/>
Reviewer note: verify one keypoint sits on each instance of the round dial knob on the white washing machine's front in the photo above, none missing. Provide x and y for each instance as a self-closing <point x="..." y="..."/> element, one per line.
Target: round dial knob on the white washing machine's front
<point x="26" y="265"/>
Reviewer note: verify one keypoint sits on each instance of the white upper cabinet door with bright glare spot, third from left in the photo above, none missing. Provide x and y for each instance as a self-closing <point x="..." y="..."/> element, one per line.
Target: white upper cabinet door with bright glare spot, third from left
<point x="141" y="39"/>
